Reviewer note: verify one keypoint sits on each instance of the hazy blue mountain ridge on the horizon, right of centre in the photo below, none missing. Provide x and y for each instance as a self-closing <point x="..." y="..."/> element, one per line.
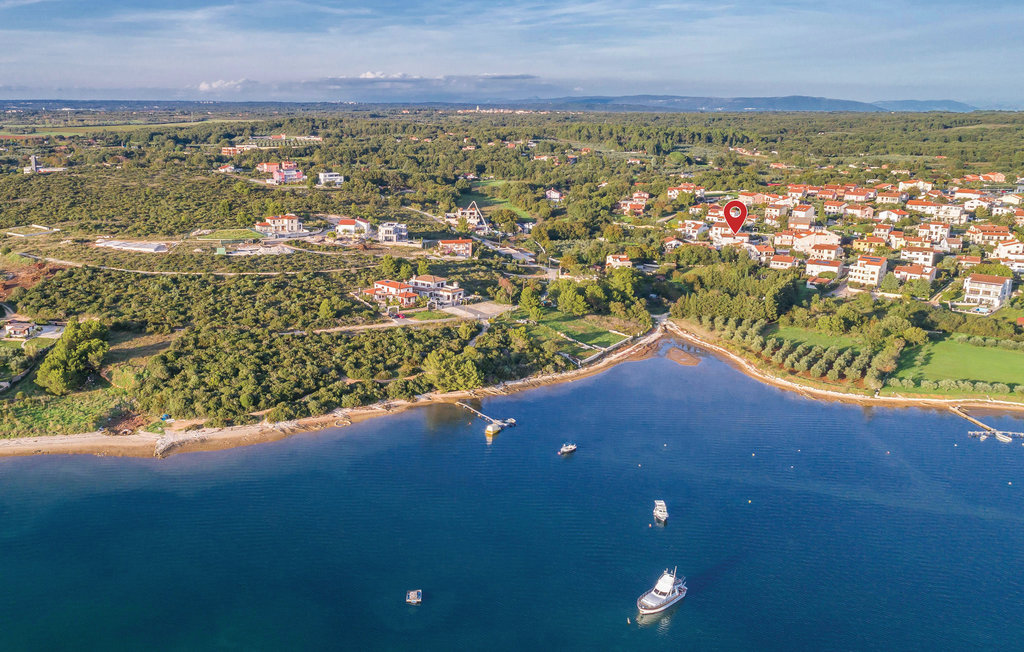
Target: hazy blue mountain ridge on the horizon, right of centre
<point x="681" y="104"/>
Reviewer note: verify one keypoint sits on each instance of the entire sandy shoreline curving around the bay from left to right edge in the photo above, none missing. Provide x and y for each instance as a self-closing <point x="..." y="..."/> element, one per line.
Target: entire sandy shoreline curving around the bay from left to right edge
<point x="142" y="445"/>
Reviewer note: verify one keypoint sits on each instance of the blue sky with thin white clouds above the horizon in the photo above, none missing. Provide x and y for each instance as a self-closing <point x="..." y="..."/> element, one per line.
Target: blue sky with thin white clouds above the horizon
<point x="424" y="51"/>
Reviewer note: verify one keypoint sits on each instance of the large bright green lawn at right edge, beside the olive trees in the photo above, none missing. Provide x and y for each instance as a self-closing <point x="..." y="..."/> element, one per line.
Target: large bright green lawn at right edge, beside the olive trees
<point x="956" y="361"/>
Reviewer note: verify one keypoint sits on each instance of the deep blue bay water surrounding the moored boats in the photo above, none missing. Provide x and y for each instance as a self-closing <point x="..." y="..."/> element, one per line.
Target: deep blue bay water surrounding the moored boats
<point x="800" y="526"/>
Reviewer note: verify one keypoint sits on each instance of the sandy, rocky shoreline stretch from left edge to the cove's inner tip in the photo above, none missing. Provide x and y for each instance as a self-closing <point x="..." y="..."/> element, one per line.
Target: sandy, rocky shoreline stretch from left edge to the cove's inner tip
<point x="143" y="445"/>
